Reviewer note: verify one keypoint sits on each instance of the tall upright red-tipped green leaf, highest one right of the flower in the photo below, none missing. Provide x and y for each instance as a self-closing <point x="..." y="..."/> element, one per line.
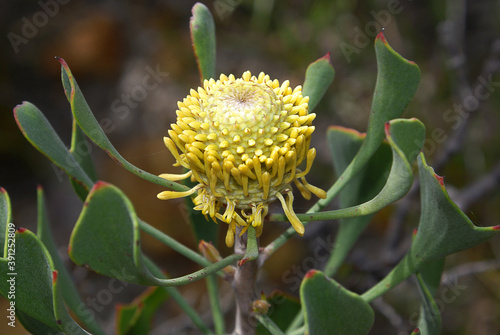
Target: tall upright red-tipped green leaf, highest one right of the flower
<point x="397" y="82"/>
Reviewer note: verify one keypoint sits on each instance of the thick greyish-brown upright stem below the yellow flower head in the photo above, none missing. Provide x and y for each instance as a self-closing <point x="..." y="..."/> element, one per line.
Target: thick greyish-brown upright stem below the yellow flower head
<point x="244" y="286"/>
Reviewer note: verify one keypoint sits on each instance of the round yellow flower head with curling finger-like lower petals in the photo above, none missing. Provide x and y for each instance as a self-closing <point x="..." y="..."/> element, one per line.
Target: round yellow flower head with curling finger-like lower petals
<point x="242" y="141"/>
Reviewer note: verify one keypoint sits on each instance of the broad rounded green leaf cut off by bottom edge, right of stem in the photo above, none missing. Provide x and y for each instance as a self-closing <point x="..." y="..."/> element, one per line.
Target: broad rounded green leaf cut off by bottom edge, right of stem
<point x="331" y="309"/>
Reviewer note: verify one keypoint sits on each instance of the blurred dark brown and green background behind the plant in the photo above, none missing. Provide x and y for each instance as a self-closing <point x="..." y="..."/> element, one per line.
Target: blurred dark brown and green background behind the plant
<point x="112" y="47"/>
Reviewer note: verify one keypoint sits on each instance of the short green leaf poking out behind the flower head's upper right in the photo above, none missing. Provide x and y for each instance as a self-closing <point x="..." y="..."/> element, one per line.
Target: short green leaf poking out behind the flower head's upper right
<point x="319" y="76"/>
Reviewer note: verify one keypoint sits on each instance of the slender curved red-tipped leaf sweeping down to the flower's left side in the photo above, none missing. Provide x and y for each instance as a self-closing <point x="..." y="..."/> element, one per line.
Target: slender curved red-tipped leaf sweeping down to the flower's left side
<point x="89" y="125"/>
